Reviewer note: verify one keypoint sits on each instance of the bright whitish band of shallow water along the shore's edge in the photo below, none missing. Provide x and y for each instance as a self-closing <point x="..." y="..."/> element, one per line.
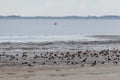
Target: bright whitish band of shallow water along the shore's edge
<point x="47" y="38"/>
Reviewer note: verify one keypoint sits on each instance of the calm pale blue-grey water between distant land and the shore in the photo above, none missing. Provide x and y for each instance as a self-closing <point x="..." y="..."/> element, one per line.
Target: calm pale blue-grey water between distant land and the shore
<point x="25" y="28"/>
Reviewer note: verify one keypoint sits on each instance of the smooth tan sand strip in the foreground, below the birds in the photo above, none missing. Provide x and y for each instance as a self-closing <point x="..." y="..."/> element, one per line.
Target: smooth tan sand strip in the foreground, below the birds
<point x="60" y="73"/>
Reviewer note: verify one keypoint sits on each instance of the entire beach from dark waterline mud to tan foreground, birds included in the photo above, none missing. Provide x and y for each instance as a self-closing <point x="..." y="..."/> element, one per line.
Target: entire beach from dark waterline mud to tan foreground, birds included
<point x="92" y="60"/>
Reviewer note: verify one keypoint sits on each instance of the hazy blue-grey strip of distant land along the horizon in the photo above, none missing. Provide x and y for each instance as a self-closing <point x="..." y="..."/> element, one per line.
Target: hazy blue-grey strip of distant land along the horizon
<point x="62" y="17"/>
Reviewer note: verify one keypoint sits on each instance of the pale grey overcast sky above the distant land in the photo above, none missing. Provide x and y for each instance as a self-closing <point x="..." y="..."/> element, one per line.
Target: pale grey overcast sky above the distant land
<point x="59" y="7"/>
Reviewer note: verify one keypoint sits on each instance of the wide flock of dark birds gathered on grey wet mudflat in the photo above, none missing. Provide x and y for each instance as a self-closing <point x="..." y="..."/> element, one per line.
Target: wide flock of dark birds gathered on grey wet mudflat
<point x="82" y="58"/>
